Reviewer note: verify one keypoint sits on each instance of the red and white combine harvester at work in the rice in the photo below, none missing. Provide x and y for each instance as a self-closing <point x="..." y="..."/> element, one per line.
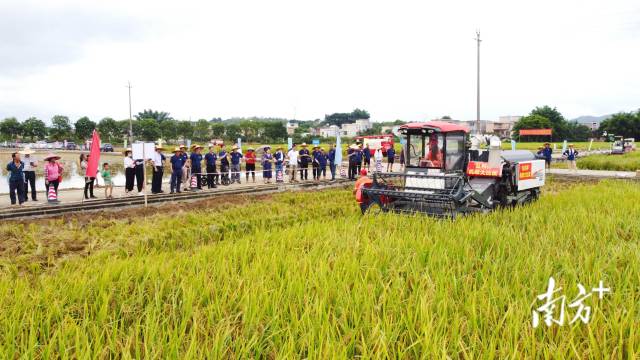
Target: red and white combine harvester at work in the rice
<point x="446" y="178"/>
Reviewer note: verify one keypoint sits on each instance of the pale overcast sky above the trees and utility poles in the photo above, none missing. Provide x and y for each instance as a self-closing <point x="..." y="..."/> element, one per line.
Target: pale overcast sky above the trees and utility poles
<point x="410" y="60"/>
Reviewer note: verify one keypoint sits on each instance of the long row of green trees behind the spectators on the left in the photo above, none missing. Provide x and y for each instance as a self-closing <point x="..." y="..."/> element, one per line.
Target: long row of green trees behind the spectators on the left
<point x="148" y="125"/>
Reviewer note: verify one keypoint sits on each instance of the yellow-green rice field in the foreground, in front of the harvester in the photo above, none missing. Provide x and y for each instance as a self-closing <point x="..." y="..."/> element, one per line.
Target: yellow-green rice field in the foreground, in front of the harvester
<point x="305" y="275"/>
